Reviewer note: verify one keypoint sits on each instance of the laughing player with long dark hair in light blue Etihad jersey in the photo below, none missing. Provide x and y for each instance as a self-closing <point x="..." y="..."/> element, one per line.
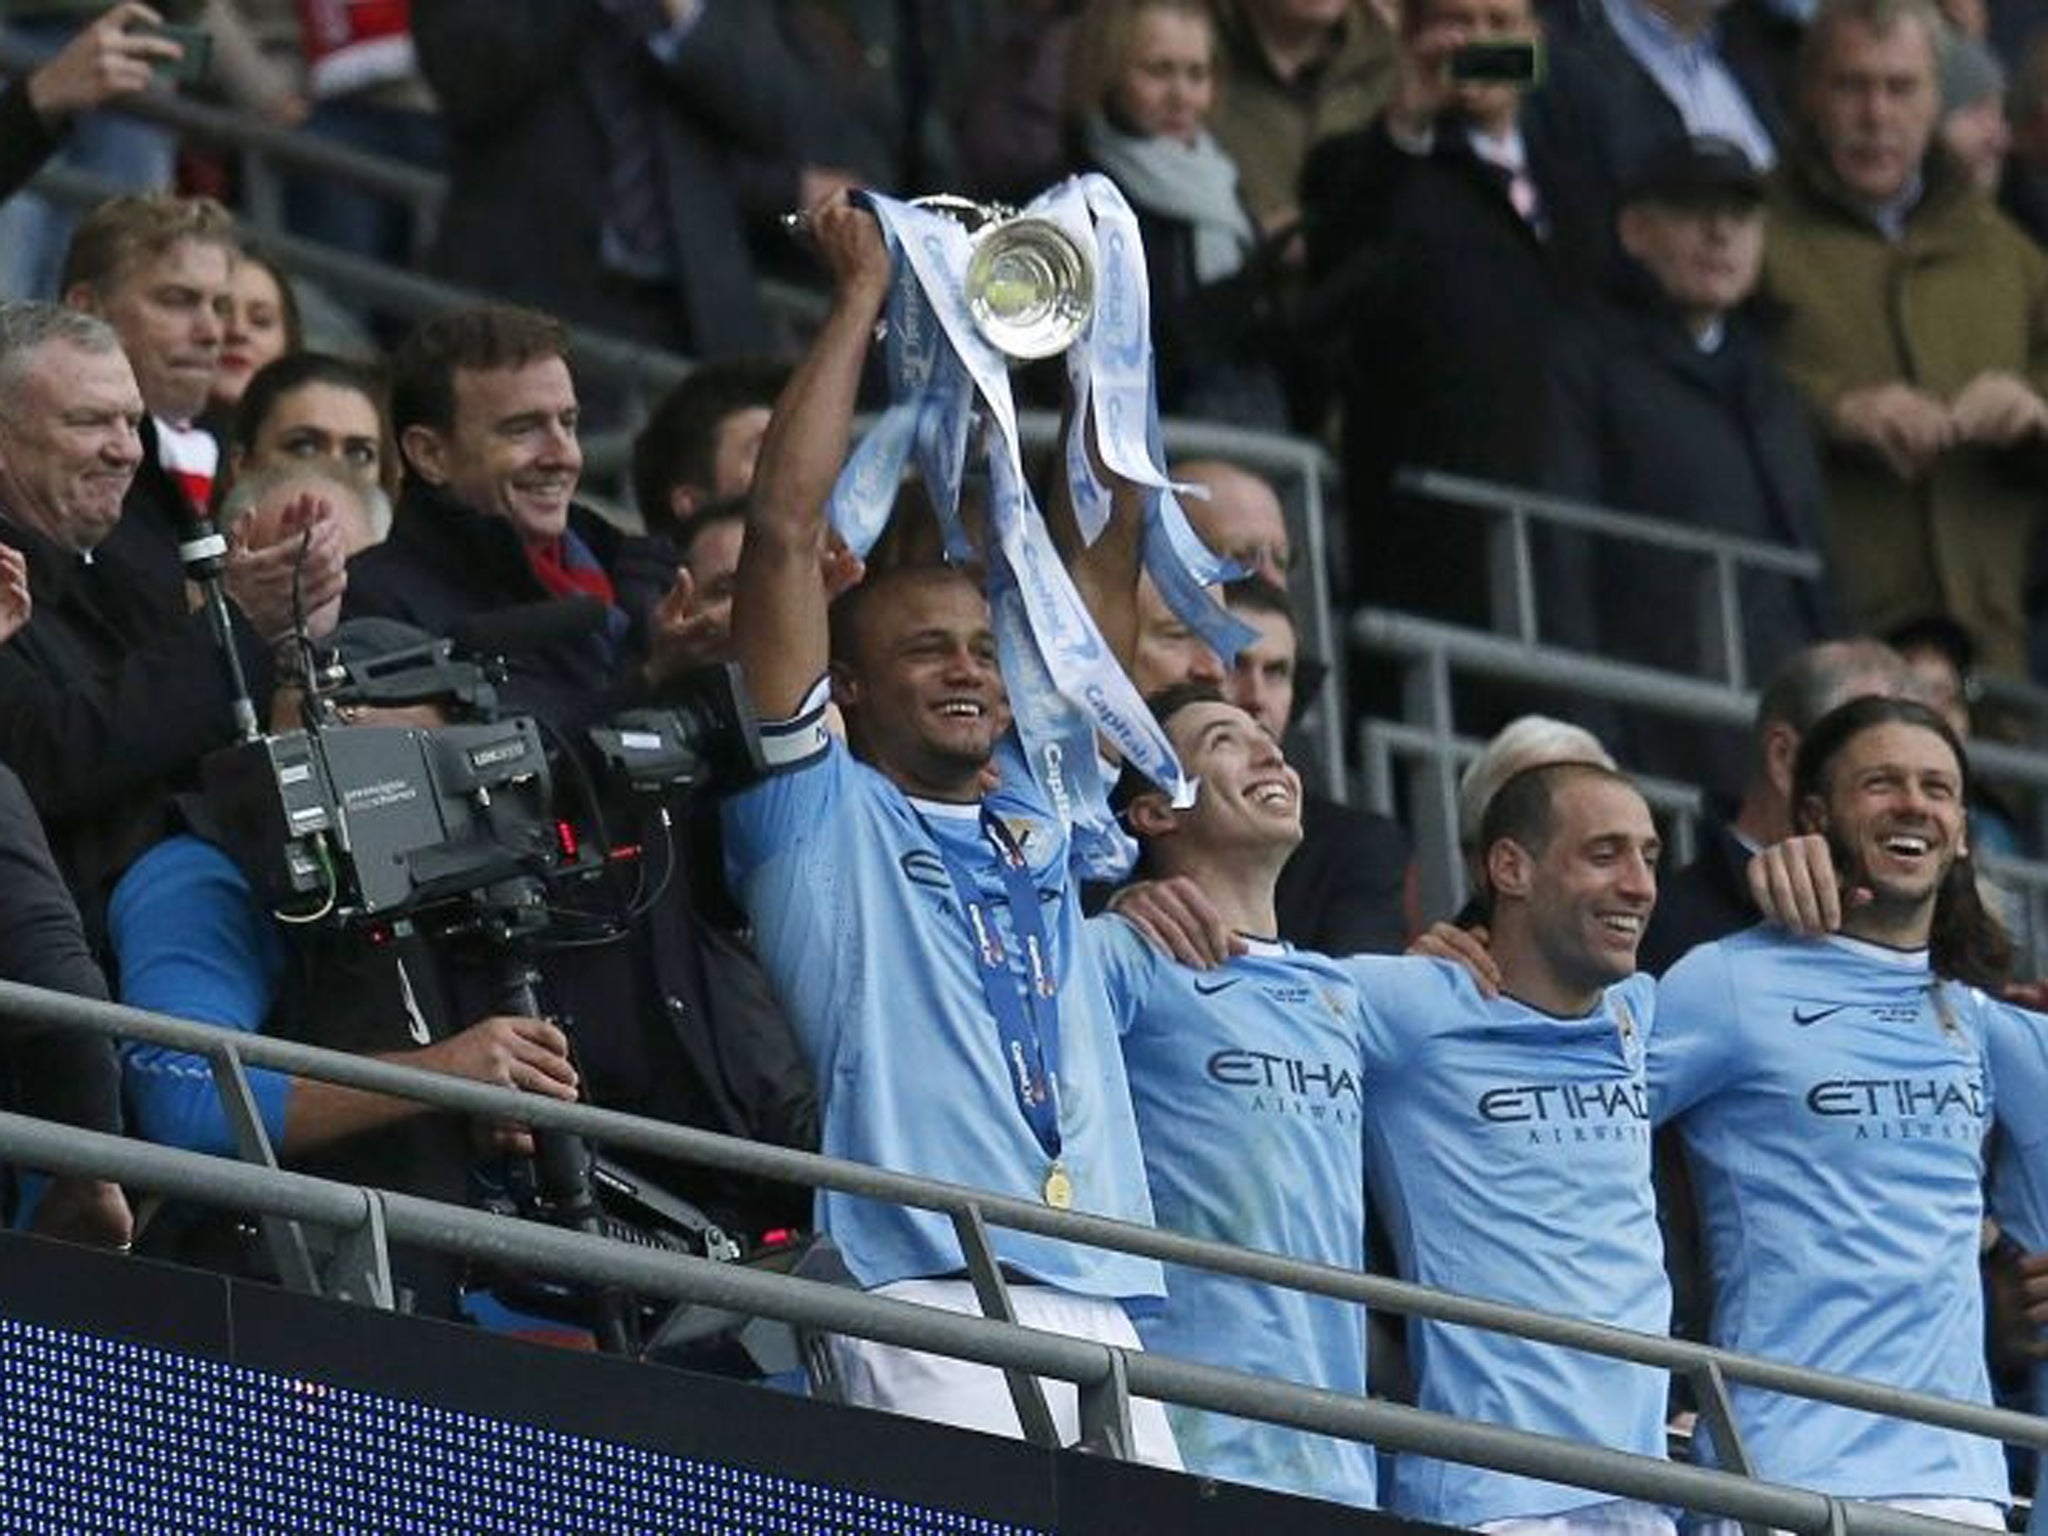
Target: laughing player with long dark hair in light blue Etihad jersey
<point x="1834" y="1097"/>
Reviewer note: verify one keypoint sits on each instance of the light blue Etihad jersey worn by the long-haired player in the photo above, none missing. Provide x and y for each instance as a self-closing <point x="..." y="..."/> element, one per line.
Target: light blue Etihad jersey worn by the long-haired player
<point x="1834" y="1107"/>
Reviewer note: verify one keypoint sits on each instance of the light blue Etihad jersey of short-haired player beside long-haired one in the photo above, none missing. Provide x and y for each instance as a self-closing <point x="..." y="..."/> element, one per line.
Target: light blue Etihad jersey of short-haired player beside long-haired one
<point x="1510" y="1154"/>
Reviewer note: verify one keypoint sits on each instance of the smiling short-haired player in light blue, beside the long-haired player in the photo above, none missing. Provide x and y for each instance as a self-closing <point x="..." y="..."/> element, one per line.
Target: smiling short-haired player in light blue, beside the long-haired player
<point x="1508" y="1144"/>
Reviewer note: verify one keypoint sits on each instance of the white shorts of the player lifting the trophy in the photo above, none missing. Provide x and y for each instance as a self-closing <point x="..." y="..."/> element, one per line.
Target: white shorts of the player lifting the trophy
<point x="972" y="1396"/>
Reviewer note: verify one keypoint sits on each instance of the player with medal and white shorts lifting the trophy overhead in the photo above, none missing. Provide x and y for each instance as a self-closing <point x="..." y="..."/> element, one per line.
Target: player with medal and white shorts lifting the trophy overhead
<point x="923" y="929"/>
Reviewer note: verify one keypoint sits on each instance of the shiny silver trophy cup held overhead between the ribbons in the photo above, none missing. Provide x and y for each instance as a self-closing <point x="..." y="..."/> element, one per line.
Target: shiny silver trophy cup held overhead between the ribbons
<point x="1029" y="286"/>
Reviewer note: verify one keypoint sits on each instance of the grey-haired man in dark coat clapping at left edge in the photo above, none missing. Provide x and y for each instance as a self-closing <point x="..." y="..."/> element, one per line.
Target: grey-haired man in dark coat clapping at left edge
<point x="105" y="699"/>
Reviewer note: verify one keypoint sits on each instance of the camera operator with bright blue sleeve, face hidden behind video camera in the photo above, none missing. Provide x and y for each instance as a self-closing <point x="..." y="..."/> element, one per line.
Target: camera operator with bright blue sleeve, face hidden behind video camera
<point x="194" y="939"/>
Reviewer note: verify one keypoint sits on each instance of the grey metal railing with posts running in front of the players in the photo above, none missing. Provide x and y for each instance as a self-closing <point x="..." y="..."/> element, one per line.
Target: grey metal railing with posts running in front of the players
<point x="370" y="1220"/>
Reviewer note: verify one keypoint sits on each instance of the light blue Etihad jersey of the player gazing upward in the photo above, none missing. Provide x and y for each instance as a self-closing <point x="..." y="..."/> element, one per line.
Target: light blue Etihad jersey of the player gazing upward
<point x="1248" y="1095"/>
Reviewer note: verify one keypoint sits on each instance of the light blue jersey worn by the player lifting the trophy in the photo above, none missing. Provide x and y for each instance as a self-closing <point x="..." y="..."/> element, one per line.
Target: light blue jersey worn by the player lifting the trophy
<point x="859" y="927"/>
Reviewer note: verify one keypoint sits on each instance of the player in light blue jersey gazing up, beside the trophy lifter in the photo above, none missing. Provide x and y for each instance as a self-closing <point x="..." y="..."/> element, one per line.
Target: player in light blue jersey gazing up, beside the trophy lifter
<point x="1248" y="1086"/>
